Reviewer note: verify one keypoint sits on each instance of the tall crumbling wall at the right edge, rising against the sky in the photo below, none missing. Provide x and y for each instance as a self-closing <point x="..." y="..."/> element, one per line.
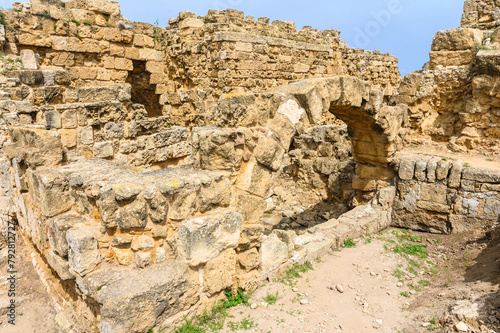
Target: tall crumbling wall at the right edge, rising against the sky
<point x="453" y="100"/>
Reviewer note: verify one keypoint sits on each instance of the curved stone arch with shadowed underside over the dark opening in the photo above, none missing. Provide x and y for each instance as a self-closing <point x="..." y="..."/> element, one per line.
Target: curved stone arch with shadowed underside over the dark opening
<point x="374" y="125"/>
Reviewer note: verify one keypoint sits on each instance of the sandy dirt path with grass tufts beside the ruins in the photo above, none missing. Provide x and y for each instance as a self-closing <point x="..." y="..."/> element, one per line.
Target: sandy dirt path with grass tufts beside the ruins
<point x="384" y="291"/>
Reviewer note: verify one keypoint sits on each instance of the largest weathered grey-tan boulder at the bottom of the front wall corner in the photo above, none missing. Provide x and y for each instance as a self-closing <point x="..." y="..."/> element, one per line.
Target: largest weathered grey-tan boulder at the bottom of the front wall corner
<point x="170" y="288"/>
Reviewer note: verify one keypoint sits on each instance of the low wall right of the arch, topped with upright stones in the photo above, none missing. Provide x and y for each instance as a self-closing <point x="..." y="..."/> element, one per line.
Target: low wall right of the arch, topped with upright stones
<point x="438" y="195"/>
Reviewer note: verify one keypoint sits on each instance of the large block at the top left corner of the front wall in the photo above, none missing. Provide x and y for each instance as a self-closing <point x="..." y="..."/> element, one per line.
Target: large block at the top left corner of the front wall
<point x="50" y="191"/>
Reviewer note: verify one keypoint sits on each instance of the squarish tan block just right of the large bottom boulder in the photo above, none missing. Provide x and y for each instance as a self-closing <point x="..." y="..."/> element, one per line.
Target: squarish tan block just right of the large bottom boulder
<point x="219" y="273"/>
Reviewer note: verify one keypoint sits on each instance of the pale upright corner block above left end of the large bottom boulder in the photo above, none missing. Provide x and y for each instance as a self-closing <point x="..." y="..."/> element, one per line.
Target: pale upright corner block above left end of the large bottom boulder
<point x="83" y="253"/>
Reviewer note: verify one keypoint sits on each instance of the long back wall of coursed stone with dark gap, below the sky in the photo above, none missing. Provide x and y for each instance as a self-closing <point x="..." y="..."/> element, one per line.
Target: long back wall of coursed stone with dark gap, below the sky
<point x="181" y="71"/>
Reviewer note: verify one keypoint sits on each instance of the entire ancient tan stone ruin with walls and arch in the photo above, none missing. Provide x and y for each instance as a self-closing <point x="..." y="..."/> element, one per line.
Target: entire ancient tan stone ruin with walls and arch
<point x="153" y="168"/>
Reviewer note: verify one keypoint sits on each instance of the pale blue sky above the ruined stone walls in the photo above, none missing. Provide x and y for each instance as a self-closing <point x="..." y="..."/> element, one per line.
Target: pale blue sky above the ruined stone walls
<point x="404" y="28"/>
